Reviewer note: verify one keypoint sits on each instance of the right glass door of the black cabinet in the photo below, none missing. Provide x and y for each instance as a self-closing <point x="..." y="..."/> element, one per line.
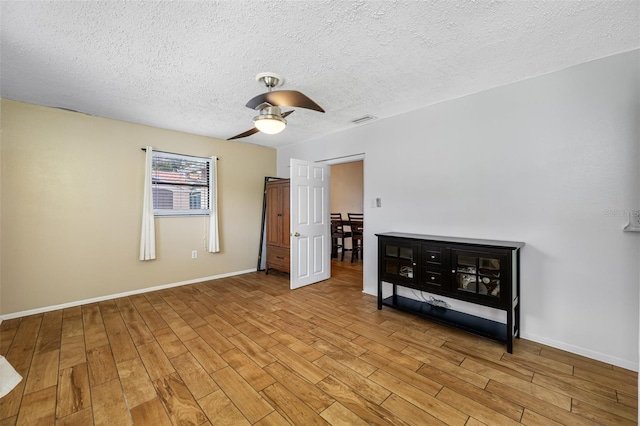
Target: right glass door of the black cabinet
<point x="477" y="273"/>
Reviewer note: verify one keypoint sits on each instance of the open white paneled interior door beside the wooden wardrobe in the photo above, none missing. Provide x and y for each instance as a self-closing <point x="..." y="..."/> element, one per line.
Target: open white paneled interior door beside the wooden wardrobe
<point x="310" y="227"/>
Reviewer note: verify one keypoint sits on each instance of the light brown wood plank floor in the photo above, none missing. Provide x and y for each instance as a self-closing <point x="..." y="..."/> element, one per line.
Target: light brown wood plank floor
<point x="247" y="350"/>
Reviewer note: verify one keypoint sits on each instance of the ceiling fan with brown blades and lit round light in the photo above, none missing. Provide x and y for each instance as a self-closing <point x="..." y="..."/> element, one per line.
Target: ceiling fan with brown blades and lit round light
<point x="271" y="119"/>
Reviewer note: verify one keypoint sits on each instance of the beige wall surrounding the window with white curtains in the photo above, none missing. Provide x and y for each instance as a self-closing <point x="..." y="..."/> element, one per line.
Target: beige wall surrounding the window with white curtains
<point x="71" y="205"/>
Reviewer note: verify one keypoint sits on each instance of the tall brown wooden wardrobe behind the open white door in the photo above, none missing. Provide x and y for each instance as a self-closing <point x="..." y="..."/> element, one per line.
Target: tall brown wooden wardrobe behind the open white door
<point x="278" y="227"/>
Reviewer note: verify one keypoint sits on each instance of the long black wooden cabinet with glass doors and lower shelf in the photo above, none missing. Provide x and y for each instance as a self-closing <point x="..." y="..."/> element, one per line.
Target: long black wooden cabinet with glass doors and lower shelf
<point x="483" y="272"/>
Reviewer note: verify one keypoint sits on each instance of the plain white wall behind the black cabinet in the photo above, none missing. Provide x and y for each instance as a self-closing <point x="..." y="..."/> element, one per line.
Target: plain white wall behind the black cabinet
<point x="552" y="161"/>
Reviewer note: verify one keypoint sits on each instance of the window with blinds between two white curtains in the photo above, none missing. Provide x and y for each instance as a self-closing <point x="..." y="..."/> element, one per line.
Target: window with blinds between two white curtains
<point x="180" y="184"/>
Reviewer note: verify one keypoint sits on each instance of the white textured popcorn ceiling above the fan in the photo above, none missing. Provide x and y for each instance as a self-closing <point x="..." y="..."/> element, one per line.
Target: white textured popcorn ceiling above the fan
<point x="190" y="65"/>
